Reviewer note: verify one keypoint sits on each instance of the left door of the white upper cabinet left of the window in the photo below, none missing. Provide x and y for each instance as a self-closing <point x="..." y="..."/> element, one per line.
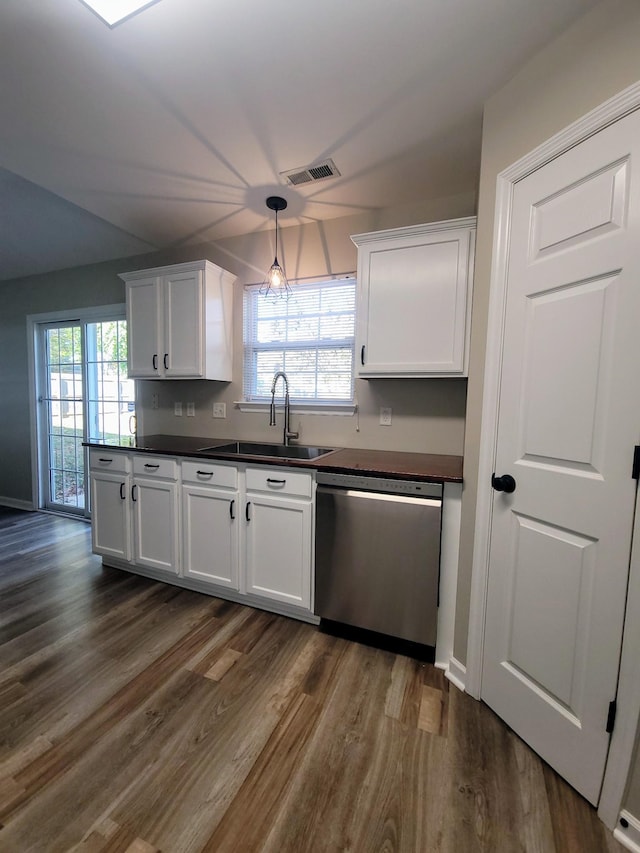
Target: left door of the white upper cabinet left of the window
<point x="144" y="313"/>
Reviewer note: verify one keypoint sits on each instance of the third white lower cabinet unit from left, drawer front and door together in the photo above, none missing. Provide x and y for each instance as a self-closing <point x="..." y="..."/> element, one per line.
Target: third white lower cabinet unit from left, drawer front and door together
<point x="210" y="527"/>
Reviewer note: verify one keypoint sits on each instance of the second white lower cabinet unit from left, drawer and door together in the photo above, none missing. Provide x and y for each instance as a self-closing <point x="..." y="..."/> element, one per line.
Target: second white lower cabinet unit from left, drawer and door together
<point x="154" y="498"/>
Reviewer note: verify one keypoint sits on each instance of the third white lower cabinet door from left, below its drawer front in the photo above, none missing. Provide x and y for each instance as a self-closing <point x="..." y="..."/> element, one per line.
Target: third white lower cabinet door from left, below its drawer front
<point x="210" y="535"/>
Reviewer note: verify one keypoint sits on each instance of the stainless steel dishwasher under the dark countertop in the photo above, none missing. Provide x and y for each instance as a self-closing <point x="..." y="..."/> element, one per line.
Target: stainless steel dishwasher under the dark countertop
<point x="378" y="554"/>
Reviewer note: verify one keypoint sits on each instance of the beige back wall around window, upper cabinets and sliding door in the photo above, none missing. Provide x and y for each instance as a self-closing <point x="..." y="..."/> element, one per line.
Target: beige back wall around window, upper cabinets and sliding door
<point x="427" y="415"/>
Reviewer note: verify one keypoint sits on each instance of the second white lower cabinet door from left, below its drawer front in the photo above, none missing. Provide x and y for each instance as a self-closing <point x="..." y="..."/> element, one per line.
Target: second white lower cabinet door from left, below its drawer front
<point x="155" y="527"/>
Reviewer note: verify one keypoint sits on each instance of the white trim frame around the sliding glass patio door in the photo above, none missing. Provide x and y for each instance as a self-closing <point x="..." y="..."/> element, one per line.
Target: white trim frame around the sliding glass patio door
<point x="95" y="313"/>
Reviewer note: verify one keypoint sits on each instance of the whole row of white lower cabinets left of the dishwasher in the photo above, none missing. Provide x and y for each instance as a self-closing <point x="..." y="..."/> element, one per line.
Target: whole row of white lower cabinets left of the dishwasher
<point x="246" y="531"/>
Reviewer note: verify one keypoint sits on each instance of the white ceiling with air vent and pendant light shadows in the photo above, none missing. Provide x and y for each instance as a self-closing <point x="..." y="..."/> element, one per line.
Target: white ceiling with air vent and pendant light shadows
<point x="172" y="128"/>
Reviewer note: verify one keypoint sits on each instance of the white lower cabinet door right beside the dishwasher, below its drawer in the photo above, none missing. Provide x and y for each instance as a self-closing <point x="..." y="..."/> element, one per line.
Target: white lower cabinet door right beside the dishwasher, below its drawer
<point x="279" y="541"/>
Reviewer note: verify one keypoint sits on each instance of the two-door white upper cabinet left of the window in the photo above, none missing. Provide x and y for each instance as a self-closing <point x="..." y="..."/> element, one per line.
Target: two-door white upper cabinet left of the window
<point x="180" y="322"/>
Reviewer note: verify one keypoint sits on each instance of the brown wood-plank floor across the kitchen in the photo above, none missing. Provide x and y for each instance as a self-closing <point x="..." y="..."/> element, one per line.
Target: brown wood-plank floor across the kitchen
<point x="135" y="716"/>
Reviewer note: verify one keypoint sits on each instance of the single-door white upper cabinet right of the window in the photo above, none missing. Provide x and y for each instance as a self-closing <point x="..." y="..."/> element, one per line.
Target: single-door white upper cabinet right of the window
<point x="414" y="299"/>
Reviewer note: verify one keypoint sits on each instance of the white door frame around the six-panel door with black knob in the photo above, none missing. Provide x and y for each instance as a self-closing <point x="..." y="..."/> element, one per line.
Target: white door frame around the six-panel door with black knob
<point x="628" y="714"/>
